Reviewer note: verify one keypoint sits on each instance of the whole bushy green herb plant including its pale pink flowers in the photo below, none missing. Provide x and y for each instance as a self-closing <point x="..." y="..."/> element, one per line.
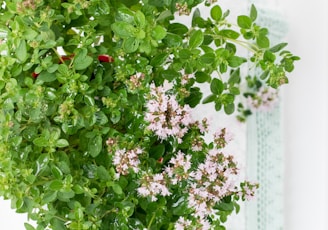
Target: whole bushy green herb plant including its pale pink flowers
<point x="96" y="117"/>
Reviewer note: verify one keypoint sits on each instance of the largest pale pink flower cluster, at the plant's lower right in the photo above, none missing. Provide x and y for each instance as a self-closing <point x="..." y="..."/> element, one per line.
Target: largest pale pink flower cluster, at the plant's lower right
<point x="211" y="181"/>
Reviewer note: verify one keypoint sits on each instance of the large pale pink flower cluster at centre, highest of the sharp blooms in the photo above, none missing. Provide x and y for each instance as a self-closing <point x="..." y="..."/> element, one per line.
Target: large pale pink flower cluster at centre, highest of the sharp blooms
<point x="165" y="116"/>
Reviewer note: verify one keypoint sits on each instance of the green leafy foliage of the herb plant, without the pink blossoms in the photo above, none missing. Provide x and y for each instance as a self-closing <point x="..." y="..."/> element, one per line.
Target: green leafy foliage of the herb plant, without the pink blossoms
<point x="58" y="109"/>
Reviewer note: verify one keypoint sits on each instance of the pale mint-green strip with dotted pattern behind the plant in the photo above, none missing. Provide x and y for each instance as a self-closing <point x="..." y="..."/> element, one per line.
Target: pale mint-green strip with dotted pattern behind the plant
<point x="264" y="153"/>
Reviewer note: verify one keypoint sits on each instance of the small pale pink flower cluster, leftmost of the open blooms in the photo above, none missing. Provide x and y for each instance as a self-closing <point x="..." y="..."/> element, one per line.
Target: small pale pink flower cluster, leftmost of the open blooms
<point x="125" y="160"/>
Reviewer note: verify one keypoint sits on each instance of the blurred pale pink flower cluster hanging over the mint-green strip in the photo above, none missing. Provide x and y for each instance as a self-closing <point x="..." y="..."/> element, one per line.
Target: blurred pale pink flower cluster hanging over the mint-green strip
<point x="264" y="100"/>
